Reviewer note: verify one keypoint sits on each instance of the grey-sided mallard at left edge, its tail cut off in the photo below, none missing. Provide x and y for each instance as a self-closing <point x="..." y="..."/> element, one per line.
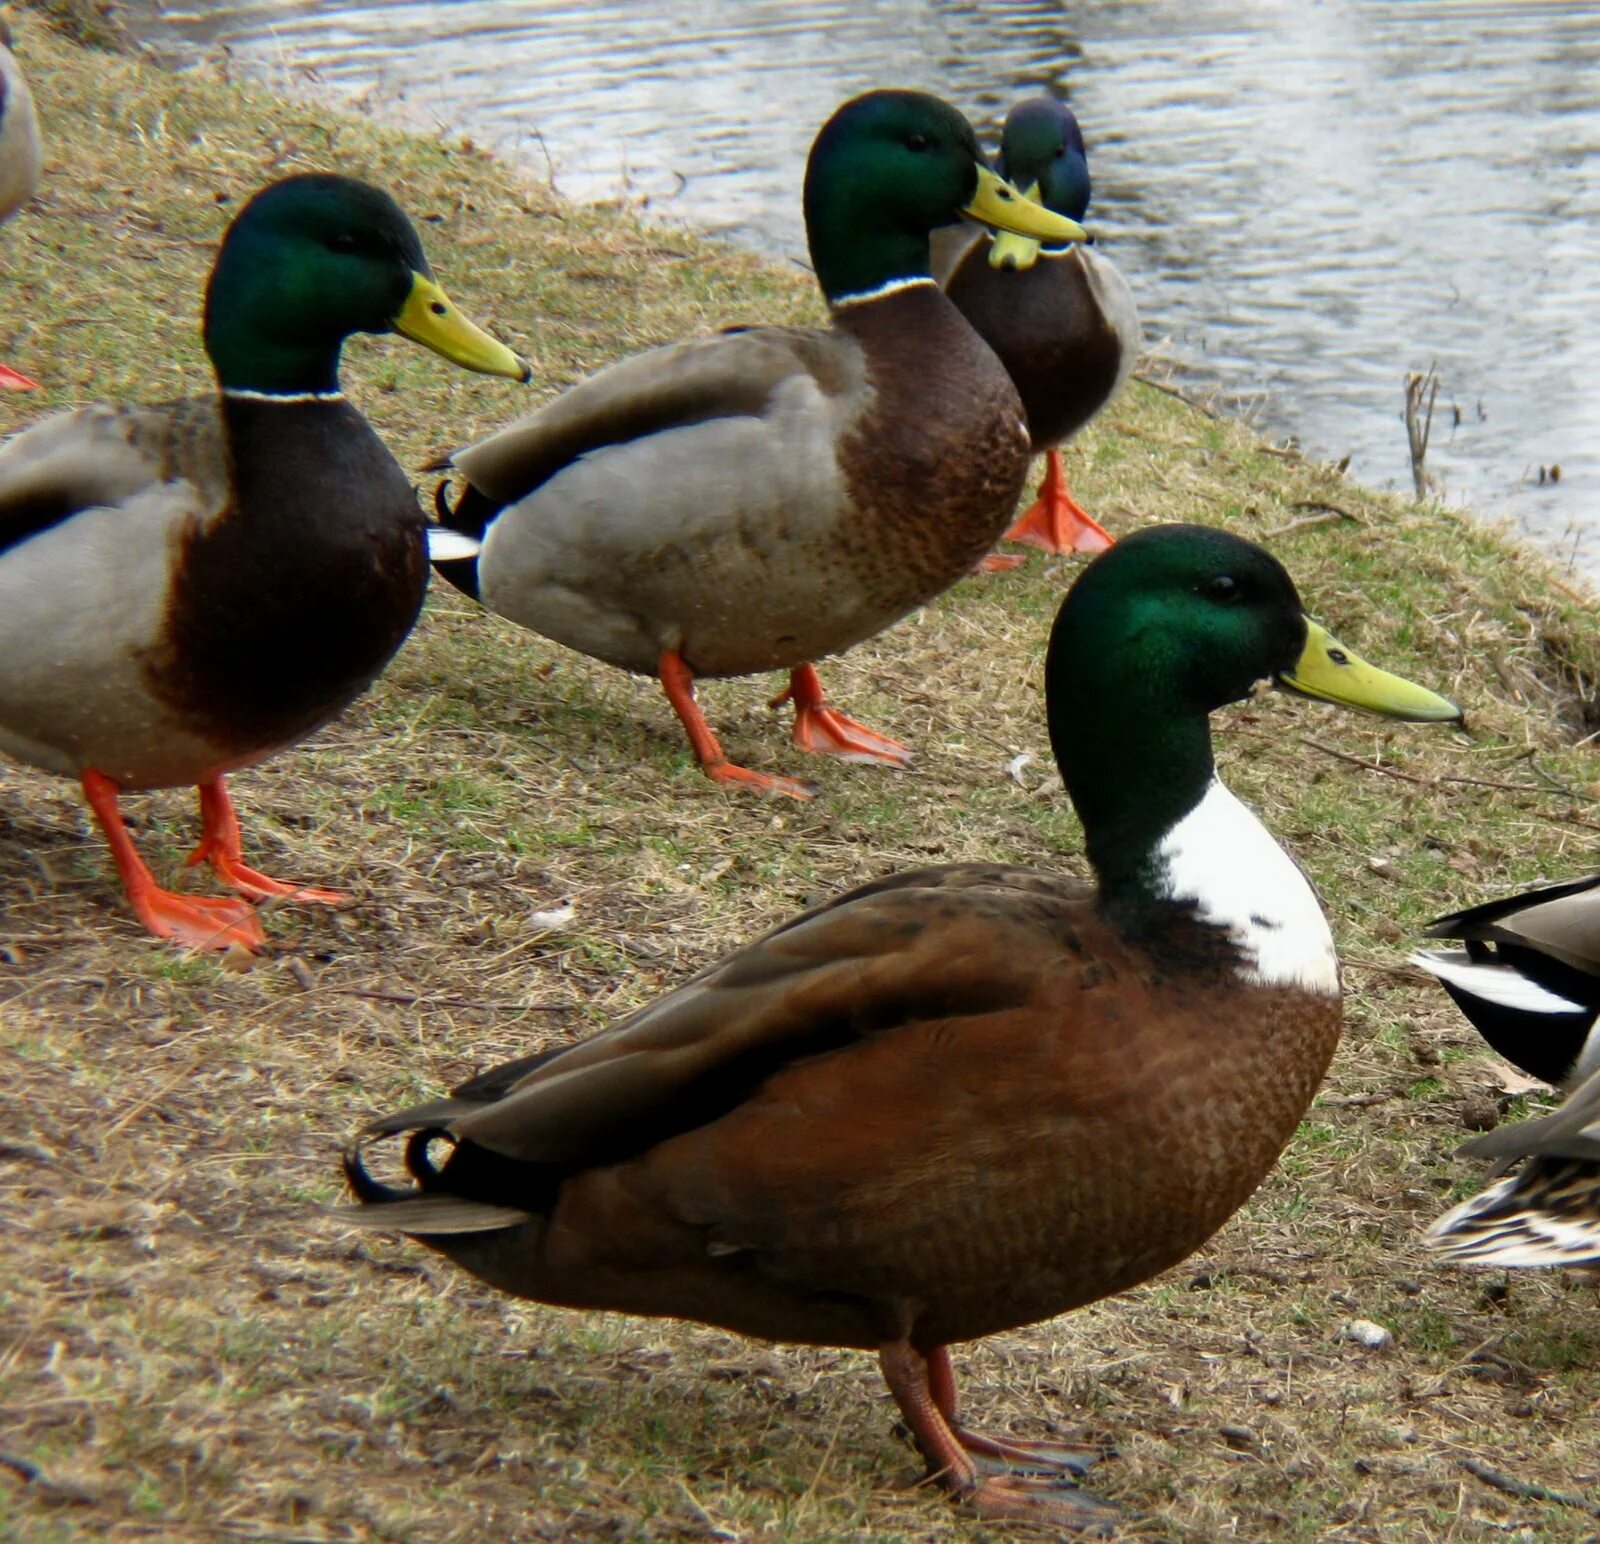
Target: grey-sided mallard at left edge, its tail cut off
<point x="186" y="590"/>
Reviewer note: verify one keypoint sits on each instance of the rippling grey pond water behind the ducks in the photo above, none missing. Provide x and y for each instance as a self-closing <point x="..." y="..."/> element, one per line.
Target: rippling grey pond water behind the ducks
<point x="1311" y="198"/>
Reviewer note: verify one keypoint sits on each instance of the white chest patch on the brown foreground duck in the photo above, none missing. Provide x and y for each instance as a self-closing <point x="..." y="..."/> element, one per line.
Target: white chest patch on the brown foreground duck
<point x="1223" y="862"/>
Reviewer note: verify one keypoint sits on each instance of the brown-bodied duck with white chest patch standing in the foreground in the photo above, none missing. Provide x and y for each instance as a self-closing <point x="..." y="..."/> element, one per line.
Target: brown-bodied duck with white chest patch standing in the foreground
<point x="962" y="1098"/>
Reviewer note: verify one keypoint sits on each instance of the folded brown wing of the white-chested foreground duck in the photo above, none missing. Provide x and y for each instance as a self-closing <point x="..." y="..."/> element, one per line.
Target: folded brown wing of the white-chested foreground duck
<point x="918" y="948"/>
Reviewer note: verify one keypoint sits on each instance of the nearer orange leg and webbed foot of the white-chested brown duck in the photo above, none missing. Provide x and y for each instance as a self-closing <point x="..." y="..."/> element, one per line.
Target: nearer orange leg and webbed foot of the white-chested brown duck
<point x="1050" y="1500"/>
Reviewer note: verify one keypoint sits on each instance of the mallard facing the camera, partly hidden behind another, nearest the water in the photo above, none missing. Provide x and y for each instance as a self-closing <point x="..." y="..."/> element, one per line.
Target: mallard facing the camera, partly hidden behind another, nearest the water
<point x="1062" y="319"/>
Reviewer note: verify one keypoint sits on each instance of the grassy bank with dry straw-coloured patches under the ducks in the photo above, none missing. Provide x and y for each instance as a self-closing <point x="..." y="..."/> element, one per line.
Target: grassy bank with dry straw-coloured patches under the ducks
<point x="188" y="1350"/>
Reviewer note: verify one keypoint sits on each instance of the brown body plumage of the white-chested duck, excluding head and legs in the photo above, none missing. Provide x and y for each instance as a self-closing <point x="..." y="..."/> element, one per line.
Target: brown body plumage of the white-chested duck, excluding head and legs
<point x="790" y="1145"/>
